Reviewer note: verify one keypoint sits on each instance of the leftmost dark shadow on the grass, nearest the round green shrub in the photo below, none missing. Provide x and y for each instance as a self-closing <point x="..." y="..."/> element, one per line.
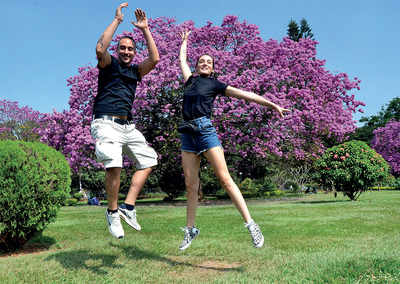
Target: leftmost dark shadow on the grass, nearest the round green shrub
<point x="85" y="259"/>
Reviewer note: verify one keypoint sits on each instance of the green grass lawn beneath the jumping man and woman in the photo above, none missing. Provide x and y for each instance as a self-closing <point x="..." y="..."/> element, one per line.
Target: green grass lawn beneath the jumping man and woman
<point x="314" y="239"/>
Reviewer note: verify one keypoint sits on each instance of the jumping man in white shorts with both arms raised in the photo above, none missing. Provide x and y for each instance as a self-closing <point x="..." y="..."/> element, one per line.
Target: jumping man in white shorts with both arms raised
<point x="112" y="127"/>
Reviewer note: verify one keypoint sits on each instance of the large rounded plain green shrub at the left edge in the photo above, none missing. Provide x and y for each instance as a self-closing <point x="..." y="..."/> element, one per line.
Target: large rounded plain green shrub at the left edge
<point x="34" y="182"/>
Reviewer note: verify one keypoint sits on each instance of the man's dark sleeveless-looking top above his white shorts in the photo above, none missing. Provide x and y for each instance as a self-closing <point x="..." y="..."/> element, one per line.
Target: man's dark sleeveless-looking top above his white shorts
<point x="116" y="89"/>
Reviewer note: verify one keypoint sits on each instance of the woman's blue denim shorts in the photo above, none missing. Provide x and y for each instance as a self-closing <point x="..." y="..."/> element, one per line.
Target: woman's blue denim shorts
<point x="202" y="141"/>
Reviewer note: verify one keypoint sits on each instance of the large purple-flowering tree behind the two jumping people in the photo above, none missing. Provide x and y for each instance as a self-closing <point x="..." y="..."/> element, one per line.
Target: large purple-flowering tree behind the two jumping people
<point x="287" y="73"/>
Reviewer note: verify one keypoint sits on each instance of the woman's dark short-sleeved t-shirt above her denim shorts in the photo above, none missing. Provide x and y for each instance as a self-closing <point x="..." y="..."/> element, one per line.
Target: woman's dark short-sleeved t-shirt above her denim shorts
<point x="199" y="96"/>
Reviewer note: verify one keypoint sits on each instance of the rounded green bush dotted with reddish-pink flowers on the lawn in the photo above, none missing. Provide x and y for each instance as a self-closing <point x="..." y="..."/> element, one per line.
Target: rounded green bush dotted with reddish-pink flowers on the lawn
<point x="351" y="168"/>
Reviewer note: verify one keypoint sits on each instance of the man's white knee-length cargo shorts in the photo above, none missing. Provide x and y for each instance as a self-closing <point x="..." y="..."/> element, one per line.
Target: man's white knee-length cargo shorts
<point x="113" y="140"/>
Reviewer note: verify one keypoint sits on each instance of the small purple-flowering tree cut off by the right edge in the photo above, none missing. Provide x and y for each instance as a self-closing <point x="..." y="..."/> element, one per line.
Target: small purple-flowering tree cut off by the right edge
<point x="386" y="142"/>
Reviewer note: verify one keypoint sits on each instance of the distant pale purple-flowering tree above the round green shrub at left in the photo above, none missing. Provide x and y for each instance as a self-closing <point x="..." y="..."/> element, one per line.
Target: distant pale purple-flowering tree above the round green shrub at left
<point x="18" y="123"/>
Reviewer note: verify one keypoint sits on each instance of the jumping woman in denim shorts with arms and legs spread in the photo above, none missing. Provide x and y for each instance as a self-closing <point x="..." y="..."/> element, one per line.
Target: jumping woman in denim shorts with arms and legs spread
<point x="198" y="136"/>
